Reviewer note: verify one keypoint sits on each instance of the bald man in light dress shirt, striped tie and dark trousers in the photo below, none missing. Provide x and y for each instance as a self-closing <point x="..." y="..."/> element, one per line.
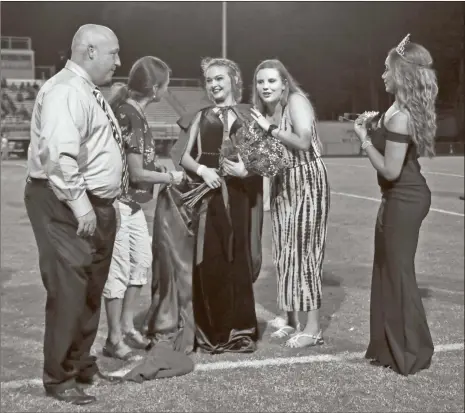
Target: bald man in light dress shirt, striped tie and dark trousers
<point x="75" y="170"/>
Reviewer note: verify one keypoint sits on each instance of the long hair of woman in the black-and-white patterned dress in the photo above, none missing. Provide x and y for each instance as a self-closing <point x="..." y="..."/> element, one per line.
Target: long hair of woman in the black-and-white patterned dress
<point x="291" y="86"/>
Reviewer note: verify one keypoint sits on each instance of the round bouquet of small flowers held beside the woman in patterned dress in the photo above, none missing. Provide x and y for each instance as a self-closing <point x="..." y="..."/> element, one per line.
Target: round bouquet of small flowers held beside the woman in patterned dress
<point x="261" y="153"/>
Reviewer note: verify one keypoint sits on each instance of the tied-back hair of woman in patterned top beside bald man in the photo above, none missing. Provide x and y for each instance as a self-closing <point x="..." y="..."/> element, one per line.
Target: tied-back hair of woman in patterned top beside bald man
<point x="147" y="72"/>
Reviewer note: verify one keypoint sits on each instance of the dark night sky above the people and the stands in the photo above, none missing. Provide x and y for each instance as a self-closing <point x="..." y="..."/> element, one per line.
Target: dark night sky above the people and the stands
<point x="326" y="45"/>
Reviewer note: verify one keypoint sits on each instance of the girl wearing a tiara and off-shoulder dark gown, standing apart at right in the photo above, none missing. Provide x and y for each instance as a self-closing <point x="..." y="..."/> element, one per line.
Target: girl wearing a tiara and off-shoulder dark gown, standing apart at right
<point x="399" y="333"/>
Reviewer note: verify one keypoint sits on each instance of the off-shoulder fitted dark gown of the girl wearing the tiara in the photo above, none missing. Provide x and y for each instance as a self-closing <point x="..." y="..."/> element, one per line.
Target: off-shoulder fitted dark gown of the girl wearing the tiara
<point x="399" y="333"/>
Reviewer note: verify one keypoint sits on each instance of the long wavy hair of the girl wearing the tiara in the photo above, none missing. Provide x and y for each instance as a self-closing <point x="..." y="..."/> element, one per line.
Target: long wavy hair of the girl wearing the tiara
<point x="416" y="90"/>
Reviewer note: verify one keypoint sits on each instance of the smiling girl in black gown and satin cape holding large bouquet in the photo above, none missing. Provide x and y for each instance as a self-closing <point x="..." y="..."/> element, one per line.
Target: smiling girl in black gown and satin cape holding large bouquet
<point x="223" y="232"/>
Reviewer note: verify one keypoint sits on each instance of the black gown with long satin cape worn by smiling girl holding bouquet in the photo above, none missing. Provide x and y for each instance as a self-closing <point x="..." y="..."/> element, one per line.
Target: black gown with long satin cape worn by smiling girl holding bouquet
<point x="211" y="304"/>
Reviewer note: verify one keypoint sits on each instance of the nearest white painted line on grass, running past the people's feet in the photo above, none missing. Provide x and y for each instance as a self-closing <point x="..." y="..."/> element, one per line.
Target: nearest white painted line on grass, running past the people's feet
<point x="247" y="364"/>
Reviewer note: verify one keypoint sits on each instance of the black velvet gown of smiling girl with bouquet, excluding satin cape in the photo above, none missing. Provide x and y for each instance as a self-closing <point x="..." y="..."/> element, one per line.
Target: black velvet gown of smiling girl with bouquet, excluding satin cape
<point x="223" y="298"/>
